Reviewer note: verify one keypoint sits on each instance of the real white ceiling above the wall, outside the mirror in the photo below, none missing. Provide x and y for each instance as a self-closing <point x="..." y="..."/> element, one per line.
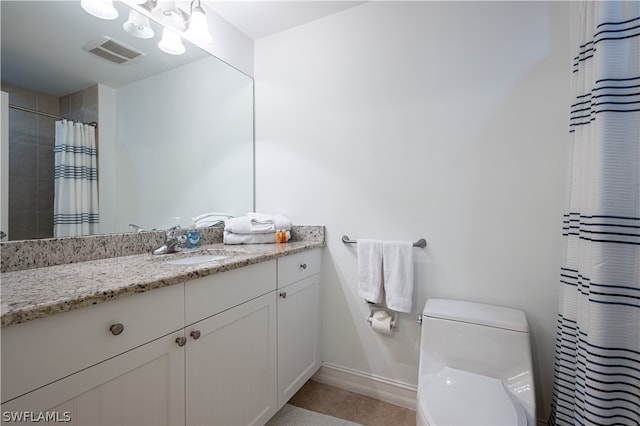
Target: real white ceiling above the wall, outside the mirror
<point x="257" y="19"/>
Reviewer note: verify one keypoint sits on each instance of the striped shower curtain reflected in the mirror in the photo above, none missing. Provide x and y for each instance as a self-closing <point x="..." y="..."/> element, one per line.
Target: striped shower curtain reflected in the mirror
<point x="75" y="209"/>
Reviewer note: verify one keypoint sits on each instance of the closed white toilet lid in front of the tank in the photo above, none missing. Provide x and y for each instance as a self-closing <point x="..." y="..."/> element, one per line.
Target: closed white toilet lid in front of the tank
<point x="456" y="397"/>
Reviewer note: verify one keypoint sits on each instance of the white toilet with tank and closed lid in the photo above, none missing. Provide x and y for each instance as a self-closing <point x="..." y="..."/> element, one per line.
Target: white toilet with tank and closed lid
<point x="475" y="366"/>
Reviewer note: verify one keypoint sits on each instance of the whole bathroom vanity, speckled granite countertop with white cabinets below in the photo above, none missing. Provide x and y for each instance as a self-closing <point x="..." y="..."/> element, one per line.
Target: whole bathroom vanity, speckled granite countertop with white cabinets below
<point x="139" y="340"/>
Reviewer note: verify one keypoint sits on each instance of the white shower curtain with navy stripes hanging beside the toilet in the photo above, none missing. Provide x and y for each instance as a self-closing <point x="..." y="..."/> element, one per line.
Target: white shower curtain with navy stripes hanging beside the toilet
<point x="597" y="365"/>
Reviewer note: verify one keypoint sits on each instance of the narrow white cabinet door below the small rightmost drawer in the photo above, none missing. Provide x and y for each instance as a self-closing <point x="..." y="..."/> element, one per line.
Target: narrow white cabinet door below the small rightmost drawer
<point x="299" y="335"/>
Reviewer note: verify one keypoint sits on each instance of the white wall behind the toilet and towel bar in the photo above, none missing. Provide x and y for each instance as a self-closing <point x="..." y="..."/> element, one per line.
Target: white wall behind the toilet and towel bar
<point x="442" y="120"/>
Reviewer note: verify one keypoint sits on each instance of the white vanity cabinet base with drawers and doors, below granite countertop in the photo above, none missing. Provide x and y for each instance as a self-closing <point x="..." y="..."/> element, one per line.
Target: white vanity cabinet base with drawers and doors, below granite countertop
<point x="227" y="349"/>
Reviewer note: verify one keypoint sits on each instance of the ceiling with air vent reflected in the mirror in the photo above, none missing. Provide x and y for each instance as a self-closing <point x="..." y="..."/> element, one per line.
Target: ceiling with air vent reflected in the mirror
<point x="42" y="48"/>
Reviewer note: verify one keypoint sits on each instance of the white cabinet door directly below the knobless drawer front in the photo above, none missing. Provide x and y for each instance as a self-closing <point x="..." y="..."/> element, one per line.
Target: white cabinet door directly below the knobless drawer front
<point x="231" y="365"/>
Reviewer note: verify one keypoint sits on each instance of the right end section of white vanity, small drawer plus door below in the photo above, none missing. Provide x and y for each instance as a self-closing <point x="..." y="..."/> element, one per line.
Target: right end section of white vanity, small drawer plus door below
<point x="299" y="330"/>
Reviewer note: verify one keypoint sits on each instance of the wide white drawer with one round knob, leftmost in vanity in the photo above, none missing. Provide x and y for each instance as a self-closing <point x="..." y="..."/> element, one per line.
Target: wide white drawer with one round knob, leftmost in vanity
<point x="41" y="351"/>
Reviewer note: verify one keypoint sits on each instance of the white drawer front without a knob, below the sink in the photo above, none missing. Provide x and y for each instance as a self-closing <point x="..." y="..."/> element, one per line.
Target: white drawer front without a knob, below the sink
<point x="210" y="295"/>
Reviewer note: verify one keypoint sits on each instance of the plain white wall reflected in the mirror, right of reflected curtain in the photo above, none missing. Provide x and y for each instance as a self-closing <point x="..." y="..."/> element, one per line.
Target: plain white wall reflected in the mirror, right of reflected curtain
<point x="184" y="146"/>
